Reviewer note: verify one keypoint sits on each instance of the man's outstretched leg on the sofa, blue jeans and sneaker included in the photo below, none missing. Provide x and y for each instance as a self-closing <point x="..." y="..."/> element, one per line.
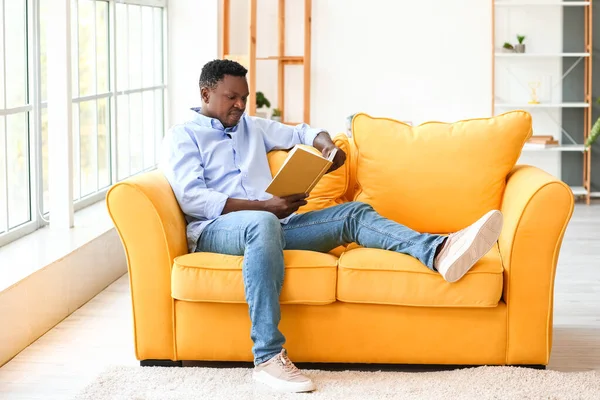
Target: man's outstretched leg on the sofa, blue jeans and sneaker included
<point x="358" y="222"/>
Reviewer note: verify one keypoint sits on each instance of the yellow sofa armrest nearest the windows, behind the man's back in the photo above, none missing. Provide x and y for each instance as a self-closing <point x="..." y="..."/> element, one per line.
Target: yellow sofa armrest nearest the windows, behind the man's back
<point x="152" y="229"/>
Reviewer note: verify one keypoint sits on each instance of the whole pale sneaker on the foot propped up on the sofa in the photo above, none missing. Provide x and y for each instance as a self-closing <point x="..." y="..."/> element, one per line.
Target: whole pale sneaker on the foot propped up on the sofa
<point x="464" y="248"/>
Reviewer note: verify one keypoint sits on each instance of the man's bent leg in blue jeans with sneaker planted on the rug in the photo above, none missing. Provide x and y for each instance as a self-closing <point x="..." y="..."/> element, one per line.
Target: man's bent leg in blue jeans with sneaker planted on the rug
<point x="257" y="235"/>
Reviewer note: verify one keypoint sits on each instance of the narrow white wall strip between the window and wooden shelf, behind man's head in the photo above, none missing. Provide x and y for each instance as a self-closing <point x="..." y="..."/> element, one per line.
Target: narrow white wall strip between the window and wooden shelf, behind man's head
<point x="192" y="42"/>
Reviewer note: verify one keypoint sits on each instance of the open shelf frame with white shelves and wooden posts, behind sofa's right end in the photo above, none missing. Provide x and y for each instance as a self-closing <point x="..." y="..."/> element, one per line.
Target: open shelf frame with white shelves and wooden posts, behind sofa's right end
<point x="584" y="190"/>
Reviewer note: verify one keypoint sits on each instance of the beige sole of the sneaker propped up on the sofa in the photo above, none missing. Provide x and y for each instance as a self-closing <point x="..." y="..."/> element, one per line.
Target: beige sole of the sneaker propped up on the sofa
<point x="482" y="242"/>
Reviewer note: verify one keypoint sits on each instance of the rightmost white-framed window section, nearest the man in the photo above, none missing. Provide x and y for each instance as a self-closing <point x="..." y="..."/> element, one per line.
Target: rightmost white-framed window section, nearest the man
<point x="140" y="87"/>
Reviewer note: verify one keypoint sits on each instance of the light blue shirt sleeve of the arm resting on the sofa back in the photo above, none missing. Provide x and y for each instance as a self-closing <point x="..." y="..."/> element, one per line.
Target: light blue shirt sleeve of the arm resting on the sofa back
<point x="278" y="136"/>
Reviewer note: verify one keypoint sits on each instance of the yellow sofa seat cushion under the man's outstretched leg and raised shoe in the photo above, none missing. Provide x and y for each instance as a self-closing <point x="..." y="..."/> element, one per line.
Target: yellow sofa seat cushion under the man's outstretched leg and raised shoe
<point x="384" y="277"/>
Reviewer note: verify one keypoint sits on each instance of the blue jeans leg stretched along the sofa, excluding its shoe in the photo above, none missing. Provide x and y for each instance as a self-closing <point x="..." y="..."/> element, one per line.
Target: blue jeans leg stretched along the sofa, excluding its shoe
<point x="357" y="222"/>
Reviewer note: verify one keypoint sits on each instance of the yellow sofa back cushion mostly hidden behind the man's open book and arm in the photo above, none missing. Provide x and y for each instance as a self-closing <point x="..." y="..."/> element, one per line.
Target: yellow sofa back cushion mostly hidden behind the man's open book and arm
<point x="331" y="188"/>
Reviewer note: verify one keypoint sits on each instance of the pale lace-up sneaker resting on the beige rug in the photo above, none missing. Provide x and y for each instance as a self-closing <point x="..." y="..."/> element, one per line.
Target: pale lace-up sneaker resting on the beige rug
<point x="282" y="375"/>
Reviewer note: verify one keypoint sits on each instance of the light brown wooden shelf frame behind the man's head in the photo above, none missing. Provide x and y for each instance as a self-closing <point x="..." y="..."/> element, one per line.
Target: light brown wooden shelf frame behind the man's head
<point x="281" y="58"/>
